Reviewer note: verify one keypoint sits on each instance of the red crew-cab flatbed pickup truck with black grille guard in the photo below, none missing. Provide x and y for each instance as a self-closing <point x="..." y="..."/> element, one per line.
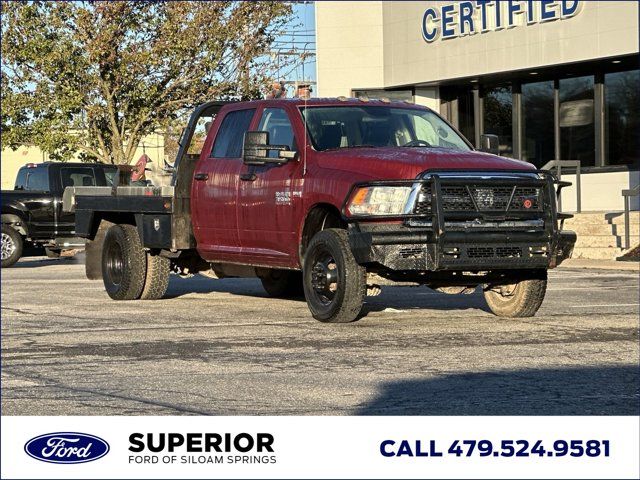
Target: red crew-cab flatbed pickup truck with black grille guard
<point x="317" y="196"/>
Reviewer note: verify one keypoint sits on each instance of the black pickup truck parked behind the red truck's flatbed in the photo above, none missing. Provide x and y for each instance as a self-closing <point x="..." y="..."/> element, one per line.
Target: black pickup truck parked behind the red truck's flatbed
<point x="32" y="211"/>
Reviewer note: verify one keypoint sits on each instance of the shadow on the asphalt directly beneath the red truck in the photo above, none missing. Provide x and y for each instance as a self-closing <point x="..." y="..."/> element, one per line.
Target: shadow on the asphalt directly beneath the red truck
<point x="392" y="297"/>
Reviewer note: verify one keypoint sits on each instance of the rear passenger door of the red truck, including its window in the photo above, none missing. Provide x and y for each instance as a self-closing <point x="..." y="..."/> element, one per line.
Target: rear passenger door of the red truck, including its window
<point x="215" y="189"/>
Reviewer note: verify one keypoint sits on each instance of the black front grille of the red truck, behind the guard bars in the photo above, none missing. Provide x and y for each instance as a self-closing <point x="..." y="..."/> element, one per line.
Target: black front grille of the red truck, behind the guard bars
<point x="476" y="198"/>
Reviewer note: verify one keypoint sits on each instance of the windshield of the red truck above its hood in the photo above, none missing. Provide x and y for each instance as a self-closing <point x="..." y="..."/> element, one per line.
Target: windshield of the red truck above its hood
<point x="376" y="126"/>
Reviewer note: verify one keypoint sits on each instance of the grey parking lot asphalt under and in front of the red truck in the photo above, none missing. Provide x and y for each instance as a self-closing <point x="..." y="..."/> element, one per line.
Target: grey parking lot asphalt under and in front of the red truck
<point x="222" y="347"/>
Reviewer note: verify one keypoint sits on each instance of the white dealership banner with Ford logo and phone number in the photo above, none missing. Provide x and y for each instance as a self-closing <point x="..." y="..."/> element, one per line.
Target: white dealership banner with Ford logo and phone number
<point x="320" y="447"/>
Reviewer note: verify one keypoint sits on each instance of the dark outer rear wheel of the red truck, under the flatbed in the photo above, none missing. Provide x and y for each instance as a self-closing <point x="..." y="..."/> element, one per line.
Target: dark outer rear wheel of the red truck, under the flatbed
<point x="124" y="263"/>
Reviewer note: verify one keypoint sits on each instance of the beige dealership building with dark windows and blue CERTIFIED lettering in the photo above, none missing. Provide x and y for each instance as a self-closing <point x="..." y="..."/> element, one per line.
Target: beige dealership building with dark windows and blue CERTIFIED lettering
<point x="555" y="80"/>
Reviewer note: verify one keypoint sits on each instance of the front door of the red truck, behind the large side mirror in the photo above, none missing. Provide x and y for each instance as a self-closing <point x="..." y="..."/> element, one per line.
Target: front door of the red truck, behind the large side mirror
<point x="269" y="198"/>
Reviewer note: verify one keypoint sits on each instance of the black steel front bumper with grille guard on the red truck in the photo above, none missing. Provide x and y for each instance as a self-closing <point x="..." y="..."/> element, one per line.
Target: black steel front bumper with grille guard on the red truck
<point x="449" y="239"/>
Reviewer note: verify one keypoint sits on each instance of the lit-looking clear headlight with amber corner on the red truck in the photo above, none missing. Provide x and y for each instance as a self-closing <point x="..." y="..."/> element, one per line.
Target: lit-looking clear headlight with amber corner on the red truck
<point x="379" y="201"/>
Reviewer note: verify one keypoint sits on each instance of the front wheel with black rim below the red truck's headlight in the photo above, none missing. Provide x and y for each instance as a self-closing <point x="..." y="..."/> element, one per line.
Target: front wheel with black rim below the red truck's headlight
<point x="334" y="284"/>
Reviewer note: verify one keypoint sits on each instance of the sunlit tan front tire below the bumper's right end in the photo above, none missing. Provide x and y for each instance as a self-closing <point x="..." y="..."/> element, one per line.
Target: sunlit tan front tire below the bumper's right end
<point x="520" y="299"/>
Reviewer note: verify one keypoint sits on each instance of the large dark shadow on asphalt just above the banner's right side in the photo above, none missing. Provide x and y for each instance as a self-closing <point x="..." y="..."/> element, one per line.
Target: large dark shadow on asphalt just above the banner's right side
<point x="611" y="390"/>
